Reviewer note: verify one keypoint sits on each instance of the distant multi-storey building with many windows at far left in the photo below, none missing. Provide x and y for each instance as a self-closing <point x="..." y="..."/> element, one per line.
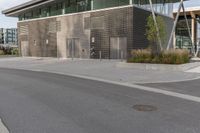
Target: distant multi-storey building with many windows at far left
<point x="8" y="36"/>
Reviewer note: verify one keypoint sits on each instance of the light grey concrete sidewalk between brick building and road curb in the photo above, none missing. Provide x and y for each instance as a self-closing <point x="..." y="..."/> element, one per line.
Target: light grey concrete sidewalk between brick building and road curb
<point x="105" y="69"/>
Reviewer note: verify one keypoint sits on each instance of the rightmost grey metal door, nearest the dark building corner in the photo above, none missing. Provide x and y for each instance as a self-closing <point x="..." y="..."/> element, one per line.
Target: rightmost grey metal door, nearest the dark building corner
<point x="118" y="47"/>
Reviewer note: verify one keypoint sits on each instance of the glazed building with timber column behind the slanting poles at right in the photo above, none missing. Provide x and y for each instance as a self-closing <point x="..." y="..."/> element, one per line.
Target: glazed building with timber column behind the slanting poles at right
<point x="187" y="38"/>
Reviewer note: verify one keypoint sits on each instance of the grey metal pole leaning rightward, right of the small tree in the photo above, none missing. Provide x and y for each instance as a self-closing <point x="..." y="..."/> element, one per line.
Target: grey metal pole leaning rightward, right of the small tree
<point x="174" y="26"/>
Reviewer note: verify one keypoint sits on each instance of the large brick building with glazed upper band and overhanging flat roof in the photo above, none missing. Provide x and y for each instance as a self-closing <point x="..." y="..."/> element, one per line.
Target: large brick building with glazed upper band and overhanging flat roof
<point x="107" y="29"/>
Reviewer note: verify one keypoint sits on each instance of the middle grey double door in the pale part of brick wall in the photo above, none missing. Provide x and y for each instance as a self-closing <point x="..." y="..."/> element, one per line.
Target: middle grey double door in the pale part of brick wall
<point x="73" y="48"/>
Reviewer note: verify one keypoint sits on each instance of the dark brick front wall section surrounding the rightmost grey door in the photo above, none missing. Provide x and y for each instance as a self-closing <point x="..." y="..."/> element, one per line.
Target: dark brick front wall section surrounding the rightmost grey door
<point x="117" y="23"/>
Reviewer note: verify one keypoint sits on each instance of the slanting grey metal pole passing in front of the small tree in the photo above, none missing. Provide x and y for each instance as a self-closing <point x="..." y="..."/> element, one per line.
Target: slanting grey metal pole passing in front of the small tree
<point x="156" y="24"/>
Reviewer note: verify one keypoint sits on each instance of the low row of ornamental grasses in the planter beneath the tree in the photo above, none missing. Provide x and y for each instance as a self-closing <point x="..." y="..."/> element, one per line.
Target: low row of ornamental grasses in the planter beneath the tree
<point x="165" y="57"/>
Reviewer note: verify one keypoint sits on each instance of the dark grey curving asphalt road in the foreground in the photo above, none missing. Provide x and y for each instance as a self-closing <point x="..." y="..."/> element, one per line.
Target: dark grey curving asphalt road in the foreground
<point x="37" y="102"/>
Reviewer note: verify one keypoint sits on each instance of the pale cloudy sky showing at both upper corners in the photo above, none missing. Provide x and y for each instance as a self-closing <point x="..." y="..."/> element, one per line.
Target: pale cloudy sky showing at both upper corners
<point x="7" y="22"/>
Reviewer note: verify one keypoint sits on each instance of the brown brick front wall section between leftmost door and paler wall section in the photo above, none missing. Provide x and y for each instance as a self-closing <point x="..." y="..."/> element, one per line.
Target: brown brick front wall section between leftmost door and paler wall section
<point x="42" y="43"/>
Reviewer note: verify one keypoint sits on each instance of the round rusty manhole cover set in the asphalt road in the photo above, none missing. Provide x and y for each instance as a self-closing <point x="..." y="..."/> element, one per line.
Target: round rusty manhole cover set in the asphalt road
<point x="144" y="108"/>
